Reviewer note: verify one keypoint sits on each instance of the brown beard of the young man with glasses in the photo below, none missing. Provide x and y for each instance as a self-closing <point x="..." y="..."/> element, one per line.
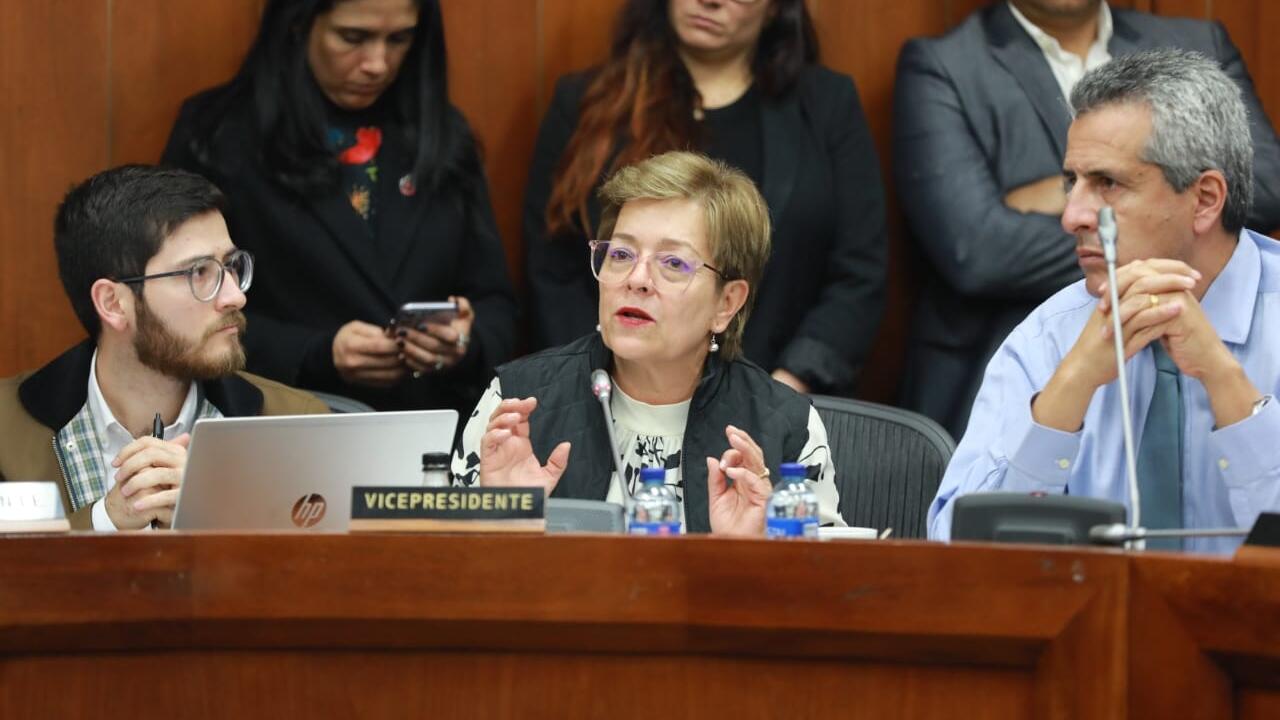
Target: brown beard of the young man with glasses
<point x="166" y="353"/>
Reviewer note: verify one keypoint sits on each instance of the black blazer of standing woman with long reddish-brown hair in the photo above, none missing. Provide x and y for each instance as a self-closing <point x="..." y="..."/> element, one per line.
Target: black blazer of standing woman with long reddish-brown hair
<point x="824" y="290"/>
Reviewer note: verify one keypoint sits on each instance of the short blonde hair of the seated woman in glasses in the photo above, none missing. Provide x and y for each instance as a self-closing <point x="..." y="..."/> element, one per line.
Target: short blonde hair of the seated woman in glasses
<point x="737" y="217"/>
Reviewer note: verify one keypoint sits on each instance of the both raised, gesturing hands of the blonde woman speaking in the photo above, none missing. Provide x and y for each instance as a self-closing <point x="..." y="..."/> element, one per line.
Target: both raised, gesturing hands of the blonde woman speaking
<point x="508" y="461"/>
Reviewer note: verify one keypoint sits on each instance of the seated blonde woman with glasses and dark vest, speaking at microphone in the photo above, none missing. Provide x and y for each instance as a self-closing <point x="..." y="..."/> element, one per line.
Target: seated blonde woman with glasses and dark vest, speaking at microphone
<point x="683" y="248"/>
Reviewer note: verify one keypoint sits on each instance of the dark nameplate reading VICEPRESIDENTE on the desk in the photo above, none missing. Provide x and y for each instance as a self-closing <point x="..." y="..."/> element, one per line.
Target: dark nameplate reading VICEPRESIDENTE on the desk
<point x="447" y="511"/>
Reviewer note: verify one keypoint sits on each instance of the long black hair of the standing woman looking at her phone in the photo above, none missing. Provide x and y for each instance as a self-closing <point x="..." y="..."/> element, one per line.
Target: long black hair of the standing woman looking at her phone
<point x="291" y="108"/>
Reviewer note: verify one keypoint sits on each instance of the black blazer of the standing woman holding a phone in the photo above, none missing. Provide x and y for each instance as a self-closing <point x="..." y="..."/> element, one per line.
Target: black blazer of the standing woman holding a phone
<point x="318" y="266"/>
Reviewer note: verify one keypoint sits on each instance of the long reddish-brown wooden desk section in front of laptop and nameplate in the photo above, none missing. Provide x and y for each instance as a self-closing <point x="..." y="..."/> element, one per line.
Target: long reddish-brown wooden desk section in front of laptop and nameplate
<point x="209" y="626"/>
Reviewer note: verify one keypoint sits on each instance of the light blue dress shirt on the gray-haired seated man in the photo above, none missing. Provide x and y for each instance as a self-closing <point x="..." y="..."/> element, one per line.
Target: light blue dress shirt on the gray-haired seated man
<point x="1229" y="475"/>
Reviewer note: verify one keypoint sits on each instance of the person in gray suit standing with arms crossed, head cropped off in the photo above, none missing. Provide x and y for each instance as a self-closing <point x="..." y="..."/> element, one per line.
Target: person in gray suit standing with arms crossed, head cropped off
<point x="981" y="119"/>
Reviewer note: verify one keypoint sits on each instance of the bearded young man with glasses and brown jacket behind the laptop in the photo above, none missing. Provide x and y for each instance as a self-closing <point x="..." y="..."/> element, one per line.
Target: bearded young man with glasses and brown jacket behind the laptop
<point x="152" y="274"/>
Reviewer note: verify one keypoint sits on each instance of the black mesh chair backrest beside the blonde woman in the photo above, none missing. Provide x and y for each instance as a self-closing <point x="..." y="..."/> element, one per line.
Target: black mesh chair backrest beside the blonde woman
<point x="889" y="463"/>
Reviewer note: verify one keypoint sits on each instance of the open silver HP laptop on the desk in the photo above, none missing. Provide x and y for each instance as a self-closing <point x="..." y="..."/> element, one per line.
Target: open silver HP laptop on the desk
<point x="296" y="472"/>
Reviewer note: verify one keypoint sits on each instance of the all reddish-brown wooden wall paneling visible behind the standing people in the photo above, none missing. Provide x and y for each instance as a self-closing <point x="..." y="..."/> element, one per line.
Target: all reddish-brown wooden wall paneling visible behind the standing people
<point x="102" y="85"/>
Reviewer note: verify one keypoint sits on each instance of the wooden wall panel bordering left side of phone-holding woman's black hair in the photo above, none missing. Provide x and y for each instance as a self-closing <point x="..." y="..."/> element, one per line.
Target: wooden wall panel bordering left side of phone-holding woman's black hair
<point x="164" y="52"/>
